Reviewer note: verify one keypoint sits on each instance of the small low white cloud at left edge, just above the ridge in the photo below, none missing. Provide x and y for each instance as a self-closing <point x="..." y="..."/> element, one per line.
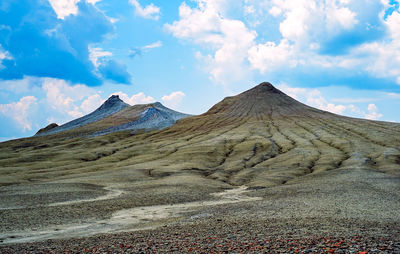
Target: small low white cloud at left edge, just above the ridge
<point x="20" y="111"/>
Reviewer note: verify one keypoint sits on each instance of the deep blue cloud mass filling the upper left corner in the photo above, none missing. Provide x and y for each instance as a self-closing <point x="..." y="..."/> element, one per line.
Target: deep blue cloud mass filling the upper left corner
<point x="56" y="37"/>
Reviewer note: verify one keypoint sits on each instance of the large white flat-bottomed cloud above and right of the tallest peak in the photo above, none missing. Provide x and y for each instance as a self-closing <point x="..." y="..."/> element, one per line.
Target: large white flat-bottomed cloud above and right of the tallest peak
<point x="306" y="25"/>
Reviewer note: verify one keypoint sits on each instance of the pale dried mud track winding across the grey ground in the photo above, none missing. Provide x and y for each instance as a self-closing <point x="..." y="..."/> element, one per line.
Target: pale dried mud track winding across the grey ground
<point x="126" y="220"/>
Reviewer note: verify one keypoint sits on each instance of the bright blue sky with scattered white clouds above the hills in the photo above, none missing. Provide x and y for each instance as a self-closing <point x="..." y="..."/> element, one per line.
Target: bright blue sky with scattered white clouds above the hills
<point x="61" y="59"/>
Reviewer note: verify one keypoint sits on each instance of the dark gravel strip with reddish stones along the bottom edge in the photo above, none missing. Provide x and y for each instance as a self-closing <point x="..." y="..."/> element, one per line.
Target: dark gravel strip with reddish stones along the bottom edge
<point x="222" y="235"/>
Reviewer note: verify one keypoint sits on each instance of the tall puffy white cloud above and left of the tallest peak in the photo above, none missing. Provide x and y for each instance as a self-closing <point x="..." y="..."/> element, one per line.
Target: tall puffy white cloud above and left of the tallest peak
<point x="230" y="39"/>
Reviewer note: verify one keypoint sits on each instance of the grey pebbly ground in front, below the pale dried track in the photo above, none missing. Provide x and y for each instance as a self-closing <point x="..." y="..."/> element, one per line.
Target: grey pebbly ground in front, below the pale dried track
<point x="336" y="212"/>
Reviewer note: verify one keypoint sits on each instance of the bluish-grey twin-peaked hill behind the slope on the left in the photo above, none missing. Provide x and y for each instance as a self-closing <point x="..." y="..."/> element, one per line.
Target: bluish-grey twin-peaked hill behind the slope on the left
<point x="115" y="115"/>
